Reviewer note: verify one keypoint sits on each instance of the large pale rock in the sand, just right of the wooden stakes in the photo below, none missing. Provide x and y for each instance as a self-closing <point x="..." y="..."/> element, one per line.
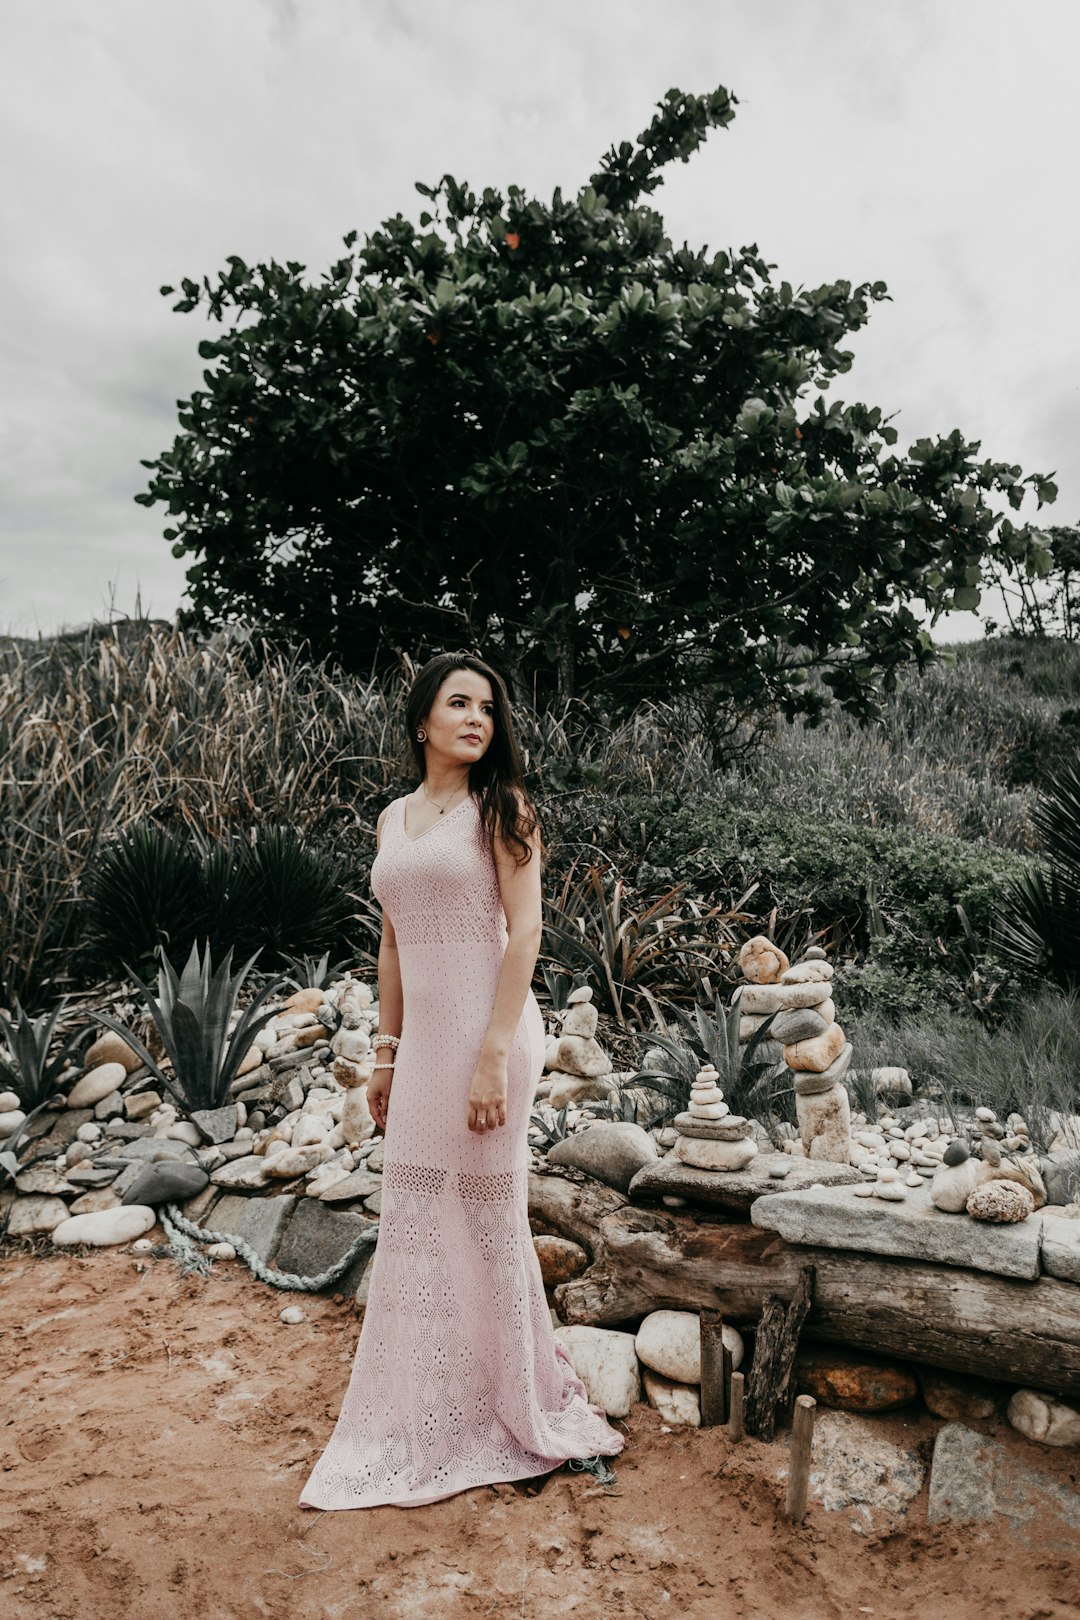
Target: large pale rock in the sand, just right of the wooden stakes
<point x="854" y="1469"/>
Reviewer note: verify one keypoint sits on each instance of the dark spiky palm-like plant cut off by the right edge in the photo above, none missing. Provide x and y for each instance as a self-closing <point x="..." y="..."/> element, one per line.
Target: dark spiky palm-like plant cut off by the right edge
<point x="1039" y="927"/>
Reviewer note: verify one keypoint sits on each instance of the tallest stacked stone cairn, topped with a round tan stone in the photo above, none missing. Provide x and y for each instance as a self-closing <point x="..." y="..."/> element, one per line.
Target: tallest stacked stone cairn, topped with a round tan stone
<point x="812" y="1044"/>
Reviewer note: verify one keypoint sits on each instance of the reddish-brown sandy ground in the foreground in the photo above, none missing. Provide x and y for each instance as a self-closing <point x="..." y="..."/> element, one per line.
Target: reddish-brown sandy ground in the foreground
<point x="158" y="1431"/>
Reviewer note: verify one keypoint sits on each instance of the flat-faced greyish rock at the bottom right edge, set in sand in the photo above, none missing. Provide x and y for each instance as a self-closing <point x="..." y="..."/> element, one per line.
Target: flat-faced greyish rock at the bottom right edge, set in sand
<point x="976" y="1481"/>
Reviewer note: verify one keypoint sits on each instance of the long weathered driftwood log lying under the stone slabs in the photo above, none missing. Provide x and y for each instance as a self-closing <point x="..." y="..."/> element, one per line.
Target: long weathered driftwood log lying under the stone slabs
<point x="648" y="1260"/>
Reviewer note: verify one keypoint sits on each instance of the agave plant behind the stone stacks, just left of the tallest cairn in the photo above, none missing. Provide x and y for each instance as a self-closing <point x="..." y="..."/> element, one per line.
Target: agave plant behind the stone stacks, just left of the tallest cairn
<point x="712" y="1038"/>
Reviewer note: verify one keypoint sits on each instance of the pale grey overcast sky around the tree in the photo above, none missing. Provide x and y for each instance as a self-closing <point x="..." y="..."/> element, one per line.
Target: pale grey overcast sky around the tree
<point x="925" y="143"/>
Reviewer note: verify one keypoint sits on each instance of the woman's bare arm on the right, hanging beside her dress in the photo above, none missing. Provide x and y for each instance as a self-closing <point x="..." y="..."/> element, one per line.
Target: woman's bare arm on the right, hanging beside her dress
<point x="521" y="890"/>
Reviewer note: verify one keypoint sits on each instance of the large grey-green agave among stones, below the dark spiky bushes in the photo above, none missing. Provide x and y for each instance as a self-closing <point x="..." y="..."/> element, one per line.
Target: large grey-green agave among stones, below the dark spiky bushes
<point x="193" y="1013"/>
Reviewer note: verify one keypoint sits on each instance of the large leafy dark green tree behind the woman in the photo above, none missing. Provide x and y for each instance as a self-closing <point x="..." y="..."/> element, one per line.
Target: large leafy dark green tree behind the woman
<point x="545" y="432"/>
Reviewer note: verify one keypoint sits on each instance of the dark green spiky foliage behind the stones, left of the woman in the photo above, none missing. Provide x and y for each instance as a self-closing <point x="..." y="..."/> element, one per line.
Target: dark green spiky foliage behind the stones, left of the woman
<point x="265" y="892"/>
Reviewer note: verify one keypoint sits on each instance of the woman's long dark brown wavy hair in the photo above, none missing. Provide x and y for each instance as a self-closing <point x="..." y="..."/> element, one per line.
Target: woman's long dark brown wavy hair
<point x="500" y="777"/>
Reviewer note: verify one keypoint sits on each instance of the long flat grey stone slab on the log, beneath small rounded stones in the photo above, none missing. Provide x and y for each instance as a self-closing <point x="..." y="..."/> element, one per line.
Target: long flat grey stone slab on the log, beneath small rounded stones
<point x="835" y="1219"/>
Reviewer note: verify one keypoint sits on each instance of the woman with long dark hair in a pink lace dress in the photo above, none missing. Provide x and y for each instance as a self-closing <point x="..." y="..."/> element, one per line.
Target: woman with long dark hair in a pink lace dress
<point x="457" y="1378"/>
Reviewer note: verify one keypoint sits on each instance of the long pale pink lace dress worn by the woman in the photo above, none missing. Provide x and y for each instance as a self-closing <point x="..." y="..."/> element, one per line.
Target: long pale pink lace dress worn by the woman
<point x="457" y="1378"/>
